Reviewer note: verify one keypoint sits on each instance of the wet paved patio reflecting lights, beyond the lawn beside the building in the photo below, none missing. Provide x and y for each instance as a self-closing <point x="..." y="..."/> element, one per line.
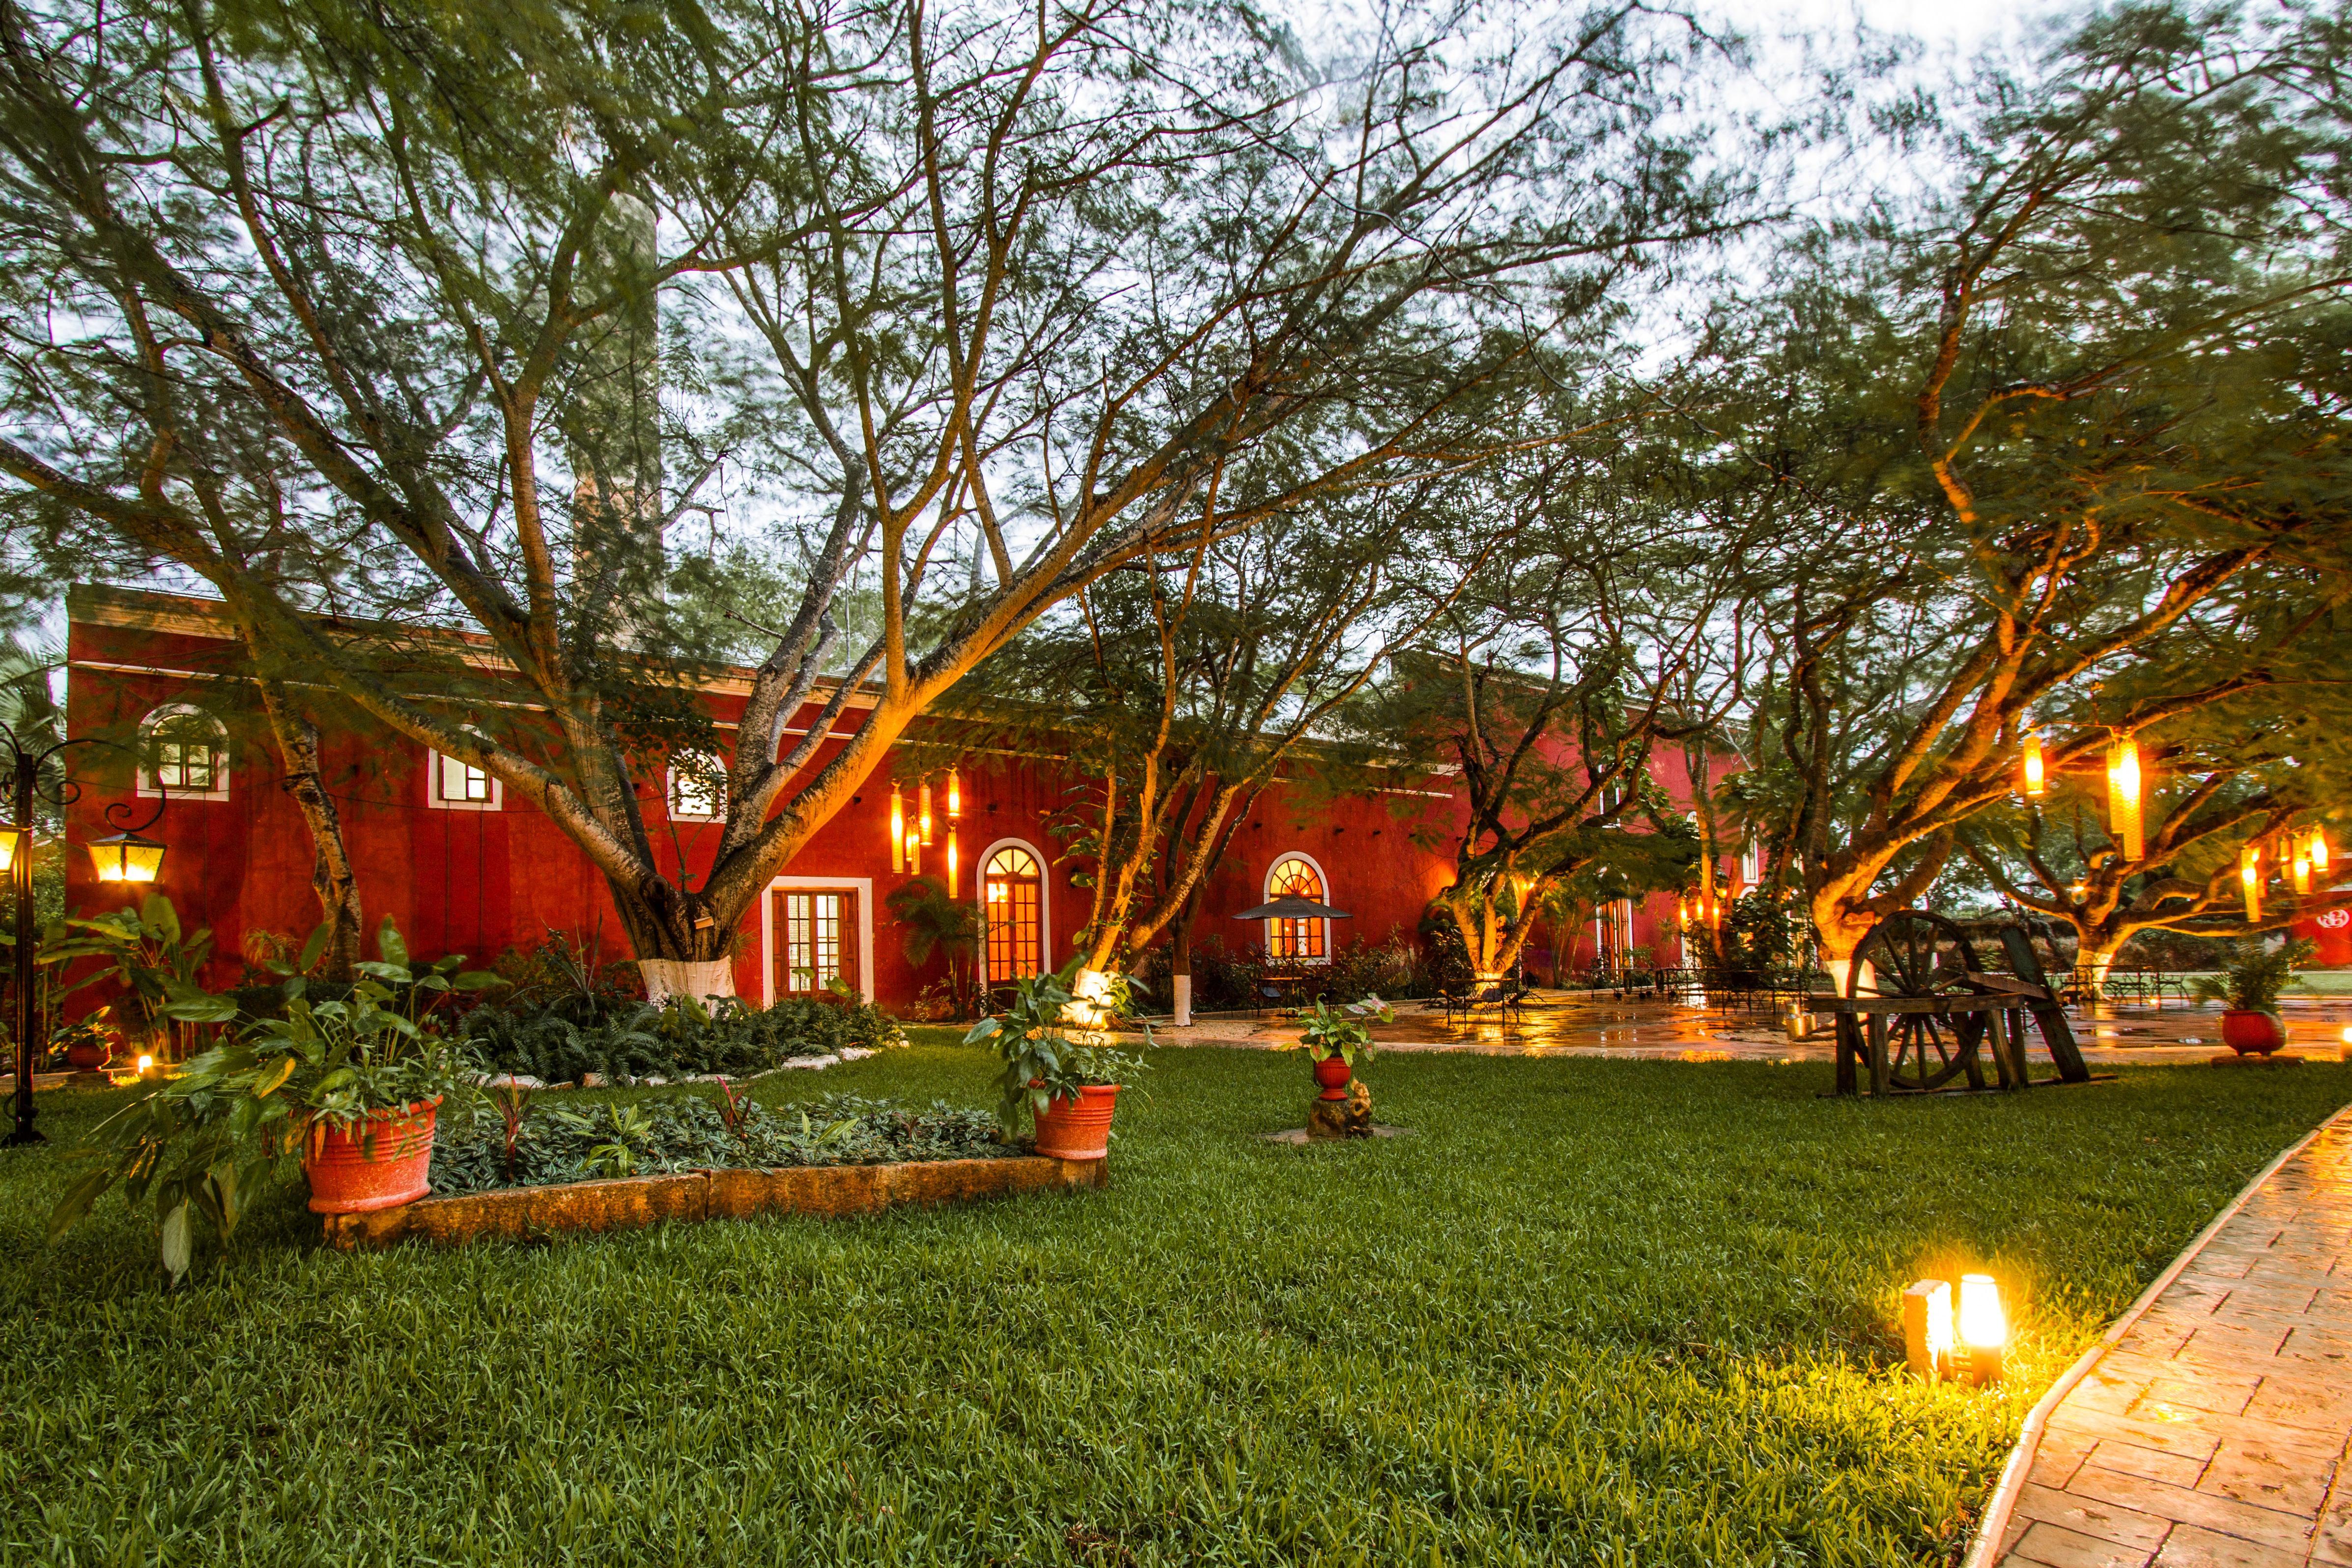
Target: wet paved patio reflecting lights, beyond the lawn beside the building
<point x="1584" y="1024"/>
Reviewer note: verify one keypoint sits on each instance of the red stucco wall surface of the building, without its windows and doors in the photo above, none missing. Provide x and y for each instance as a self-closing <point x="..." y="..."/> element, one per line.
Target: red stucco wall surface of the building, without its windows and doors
<point x="488" y="880"/>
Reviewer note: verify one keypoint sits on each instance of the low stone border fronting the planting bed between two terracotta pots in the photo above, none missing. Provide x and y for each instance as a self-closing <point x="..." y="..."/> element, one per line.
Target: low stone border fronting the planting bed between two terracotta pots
<point x="709" y="1195"/>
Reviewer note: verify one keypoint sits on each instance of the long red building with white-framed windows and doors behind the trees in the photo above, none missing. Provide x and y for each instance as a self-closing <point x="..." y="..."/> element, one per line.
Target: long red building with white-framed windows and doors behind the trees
<point x="465" y="871"/>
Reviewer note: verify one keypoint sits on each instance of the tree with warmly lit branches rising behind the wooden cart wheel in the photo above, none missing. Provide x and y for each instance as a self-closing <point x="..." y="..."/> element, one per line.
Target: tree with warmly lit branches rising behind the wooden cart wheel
<point x="2073" y="408"/>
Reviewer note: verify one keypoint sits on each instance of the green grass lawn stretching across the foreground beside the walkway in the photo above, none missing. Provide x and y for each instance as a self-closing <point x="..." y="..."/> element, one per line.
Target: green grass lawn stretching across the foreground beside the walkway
<point x="1589" y="1313"/>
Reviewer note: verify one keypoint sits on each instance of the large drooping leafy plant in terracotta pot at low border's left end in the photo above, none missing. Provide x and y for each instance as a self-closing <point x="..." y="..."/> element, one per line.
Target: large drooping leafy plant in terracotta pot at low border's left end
<point x="345" y="1090"/>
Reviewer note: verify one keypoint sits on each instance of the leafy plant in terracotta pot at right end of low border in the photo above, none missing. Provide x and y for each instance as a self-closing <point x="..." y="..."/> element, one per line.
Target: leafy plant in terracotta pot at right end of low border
<point x="1060" y="1064"/>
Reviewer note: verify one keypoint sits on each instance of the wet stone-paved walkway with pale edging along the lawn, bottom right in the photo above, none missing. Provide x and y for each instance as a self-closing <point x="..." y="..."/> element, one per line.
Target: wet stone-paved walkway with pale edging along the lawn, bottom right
<point x="2214" y="1430"/>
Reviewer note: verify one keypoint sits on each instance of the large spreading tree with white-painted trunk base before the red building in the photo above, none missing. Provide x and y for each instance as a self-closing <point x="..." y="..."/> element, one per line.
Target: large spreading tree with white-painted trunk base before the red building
<point x="1041" y="283"/>
